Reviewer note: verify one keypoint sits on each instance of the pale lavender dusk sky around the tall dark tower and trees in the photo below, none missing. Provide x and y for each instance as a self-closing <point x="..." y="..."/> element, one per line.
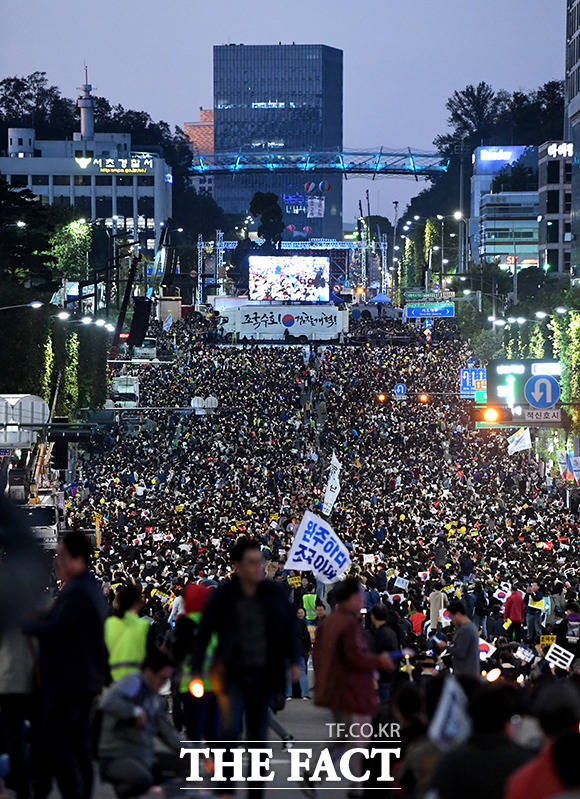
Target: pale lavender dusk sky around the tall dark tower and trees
<point x="401" y="59"/>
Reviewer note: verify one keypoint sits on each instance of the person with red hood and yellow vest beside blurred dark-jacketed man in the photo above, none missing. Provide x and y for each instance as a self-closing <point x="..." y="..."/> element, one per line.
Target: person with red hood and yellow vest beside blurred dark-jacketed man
<point x="200" y="713"/>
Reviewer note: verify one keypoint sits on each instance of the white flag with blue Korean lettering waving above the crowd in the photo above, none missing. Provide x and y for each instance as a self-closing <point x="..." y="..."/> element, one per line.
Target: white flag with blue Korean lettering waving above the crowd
<point x="318" y="549"/>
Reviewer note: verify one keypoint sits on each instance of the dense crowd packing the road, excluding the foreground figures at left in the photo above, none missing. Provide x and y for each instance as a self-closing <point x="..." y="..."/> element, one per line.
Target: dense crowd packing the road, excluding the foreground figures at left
<point x="446" y="532"/>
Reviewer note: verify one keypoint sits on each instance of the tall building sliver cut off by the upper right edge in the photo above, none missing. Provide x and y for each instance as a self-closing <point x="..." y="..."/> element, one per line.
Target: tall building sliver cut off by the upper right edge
<point x="573" y="125"/>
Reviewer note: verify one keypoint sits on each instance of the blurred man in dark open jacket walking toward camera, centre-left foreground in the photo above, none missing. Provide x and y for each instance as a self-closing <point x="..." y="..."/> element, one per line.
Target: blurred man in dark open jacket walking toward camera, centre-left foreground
<point x="256" y="633"/>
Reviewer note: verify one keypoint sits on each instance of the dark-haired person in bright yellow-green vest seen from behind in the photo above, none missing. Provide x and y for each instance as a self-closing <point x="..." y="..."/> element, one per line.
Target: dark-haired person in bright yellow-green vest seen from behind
<point x="126" y="634"/>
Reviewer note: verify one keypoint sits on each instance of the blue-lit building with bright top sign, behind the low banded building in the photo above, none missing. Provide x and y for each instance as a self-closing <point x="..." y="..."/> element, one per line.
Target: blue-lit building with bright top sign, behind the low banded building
<point x="487" y="162"/>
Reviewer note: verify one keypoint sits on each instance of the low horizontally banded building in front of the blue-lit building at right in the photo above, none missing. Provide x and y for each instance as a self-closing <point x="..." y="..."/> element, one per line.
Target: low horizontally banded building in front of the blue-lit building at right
<point x="509" y="229"/>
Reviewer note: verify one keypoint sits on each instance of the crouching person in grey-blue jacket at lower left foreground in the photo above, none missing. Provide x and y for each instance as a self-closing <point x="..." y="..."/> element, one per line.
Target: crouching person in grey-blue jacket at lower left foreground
<point x="132" y="720"/>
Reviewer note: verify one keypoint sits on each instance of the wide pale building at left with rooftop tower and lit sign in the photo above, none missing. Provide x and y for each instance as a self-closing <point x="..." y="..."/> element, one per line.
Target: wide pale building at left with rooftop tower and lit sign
<point x="99" y="173"/>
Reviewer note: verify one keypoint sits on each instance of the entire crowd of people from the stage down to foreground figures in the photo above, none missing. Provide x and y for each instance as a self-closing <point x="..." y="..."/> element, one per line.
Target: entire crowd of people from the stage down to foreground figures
<point x="462" y="558"/>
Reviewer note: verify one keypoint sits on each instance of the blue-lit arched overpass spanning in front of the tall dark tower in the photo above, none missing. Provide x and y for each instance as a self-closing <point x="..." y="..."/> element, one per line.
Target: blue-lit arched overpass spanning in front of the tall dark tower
<point x="406" y="163"/>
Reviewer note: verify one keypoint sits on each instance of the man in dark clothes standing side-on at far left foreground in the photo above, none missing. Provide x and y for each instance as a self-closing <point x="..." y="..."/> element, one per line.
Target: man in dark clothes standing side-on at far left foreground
<point x="73" y="670"/>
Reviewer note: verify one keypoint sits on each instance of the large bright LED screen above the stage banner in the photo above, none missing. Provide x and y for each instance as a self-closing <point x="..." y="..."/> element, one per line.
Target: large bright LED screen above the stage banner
<point x="289" y="278"/>
